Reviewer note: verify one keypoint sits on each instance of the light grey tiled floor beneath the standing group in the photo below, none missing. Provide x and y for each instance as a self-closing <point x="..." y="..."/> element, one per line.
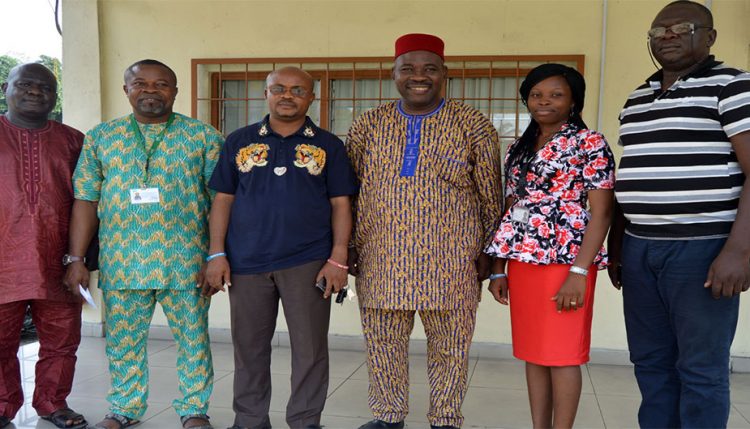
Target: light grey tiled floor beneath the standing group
<point x="496" y="396"/>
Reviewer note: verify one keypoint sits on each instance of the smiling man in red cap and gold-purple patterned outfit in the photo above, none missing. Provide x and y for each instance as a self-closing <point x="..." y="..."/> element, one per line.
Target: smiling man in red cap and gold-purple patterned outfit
<point x="429" y="202"/>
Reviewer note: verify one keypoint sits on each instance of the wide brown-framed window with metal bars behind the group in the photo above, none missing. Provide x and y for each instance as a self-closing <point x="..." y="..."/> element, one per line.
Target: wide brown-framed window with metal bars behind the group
<point x="228" y="93"/>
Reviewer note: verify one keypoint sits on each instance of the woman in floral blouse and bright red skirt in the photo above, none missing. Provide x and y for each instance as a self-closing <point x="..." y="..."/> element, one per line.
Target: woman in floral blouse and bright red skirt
<point x="551" y="241"/>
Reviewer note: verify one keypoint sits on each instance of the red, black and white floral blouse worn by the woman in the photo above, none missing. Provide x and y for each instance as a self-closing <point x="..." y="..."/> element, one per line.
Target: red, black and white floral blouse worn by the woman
<point x="557" y="184"/>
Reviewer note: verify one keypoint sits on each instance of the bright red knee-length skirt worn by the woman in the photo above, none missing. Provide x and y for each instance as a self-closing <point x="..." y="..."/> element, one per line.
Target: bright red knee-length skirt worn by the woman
<point x="541" y="335"/>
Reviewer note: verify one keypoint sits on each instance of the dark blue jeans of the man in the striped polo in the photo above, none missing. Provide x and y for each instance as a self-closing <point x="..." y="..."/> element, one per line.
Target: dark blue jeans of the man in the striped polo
<point x="678" y="335"/>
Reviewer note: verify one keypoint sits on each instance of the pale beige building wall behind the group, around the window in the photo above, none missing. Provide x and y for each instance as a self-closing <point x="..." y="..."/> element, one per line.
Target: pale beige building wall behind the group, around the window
<point x="176" y="31"/>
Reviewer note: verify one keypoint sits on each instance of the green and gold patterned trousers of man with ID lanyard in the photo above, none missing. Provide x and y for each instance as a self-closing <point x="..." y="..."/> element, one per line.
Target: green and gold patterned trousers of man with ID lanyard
<point x="128" y="316"/>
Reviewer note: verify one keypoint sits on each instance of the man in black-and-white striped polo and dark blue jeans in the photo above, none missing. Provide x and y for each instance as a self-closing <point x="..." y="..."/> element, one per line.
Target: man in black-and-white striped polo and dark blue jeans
<point x="684" y="256"/>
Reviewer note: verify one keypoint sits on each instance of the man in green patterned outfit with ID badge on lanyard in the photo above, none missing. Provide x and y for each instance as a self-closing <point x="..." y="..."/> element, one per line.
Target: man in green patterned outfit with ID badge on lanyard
<point x="143" y="179"/>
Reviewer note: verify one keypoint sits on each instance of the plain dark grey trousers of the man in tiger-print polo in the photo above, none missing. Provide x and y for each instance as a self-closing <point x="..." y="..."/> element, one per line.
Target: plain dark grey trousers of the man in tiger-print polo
<point x="254" y="305"/>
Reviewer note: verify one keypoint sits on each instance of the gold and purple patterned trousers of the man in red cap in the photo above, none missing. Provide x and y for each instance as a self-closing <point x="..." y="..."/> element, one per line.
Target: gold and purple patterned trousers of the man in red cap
<point x="448" y="334"/>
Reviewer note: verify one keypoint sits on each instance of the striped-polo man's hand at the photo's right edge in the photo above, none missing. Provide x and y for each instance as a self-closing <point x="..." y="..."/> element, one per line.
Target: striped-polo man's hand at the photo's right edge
<point x="729" y="274"/>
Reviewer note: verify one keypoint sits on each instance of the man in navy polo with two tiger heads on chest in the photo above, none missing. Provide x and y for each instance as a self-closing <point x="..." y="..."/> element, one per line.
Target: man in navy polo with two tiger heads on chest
<point x="281" y="220"/>
